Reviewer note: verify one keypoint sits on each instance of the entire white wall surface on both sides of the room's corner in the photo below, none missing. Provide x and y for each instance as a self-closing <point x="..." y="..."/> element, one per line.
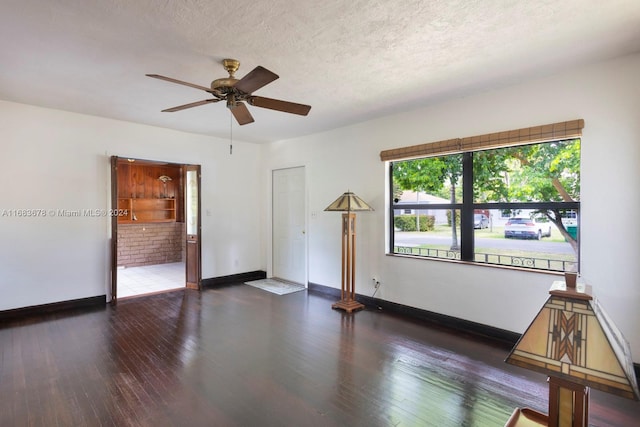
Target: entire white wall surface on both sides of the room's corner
<point x="58" y="160"/>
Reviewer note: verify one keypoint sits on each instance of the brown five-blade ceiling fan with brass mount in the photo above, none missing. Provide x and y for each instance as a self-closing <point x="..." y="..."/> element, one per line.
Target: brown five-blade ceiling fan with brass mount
<point x="238" y="91"/>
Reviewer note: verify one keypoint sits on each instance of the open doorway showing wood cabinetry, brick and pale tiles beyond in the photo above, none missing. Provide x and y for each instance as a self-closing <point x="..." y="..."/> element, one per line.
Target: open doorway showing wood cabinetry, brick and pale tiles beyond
<point x="150" y="252"/>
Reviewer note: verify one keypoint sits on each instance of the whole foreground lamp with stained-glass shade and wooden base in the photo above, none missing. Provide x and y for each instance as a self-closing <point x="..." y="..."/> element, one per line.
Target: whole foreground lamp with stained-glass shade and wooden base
<point x="575" y="342"/>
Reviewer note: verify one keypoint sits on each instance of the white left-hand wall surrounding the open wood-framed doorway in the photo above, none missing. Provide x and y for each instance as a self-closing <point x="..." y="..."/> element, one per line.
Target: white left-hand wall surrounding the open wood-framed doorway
<point x="58" y="160"/>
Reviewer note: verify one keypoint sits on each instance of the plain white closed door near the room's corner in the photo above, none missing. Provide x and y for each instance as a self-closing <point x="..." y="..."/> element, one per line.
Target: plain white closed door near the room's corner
<point x="289" y="225"/>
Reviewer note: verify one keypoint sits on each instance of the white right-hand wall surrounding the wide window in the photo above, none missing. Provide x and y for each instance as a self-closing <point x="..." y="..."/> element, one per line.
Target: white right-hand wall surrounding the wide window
<point x="606" y="96"/>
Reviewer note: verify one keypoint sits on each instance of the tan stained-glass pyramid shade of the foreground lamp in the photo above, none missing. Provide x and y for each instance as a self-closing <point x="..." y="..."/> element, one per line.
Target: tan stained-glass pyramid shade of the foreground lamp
<point x="574" y="339"/>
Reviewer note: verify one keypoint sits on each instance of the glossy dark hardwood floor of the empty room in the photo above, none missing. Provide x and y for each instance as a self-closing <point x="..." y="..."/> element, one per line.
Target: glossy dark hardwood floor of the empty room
<point x="239" y="356"/>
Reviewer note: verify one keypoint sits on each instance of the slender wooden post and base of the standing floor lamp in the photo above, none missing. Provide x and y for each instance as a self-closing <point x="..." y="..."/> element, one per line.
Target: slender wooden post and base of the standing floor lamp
<point x="347" y="292"/>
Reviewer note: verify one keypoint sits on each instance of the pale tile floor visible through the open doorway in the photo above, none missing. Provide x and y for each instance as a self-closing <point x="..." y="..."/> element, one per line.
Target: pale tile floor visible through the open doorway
<point x="150" y="278"/>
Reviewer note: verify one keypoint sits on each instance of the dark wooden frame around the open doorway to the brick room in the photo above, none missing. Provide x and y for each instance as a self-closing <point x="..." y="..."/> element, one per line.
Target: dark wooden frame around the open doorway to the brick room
<point x="114" y="221"/>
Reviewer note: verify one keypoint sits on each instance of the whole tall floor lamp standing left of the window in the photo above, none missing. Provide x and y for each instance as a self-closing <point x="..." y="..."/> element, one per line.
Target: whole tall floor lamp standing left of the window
<point x="348" y="203"/>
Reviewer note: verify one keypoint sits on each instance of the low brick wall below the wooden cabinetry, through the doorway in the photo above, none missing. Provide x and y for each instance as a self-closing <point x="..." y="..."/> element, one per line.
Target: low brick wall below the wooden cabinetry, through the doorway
<point x="150" y="243"/>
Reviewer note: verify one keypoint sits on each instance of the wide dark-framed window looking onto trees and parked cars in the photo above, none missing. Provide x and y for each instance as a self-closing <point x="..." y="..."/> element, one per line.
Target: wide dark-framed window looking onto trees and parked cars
<point x="511" y="205"/>
